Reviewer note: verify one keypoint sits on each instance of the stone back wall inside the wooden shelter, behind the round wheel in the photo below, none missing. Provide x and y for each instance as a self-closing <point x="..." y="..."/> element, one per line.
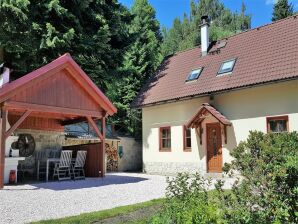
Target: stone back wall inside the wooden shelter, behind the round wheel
<point x="43" y="140"/>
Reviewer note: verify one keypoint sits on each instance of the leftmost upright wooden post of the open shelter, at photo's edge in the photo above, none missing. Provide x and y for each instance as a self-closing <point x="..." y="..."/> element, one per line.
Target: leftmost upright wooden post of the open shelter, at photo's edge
<point x="2" y="145"/>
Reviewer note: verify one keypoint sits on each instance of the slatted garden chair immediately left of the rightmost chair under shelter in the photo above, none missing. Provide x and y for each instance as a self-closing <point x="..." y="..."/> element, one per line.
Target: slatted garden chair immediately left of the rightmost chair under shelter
<point x="62" y="168"/>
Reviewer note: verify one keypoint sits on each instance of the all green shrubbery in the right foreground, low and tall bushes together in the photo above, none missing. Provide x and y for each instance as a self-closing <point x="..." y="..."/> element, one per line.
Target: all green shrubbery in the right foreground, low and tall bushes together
<point x="266" y="192"/>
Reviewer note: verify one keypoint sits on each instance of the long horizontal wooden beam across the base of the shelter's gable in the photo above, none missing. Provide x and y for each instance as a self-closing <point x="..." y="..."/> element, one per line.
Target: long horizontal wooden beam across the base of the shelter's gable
<point x="10" y="105"/>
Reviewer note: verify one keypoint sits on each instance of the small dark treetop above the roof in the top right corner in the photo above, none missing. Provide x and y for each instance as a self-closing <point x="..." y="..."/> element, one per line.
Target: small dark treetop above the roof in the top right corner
<point x="282" y="9"/>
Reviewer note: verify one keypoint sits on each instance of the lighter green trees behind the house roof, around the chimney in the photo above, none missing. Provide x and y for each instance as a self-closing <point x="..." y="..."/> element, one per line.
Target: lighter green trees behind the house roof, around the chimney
<point x="185" y="33"/>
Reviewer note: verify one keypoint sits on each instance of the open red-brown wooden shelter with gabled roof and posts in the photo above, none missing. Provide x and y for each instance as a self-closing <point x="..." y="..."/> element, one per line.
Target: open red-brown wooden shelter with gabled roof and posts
<point x="54" y="95"/>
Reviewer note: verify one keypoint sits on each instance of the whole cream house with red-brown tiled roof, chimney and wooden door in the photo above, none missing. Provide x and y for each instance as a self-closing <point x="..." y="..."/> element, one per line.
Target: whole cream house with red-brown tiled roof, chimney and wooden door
<point x="204" y="101"/>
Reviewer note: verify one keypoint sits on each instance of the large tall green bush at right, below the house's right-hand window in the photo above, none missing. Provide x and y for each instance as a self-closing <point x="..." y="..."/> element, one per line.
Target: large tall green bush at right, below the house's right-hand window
<point x="268" y="192"/>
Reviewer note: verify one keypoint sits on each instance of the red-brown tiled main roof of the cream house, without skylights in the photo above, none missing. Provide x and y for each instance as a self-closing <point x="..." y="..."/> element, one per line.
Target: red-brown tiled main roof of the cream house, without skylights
<point x="265" y="54"/>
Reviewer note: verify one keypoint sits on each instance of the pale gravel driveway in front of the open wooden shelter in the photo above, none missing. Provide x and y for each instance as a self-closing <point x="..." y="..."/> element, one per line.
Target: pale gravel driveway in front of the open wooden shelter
<point x="33" y="202"/>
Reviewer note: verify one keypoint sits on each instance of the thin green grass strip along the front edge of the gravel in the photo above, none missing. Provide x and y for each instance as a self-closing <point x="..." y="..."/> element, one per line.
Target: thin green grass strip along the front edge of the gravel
<point x="98" y="216"/>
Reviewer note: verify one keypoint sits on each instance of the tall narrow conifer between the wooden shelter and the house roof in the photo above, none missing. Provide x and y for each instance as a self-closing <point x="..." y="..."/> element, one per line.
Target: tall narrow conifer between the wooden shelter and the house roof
<point x="140" y="62"/>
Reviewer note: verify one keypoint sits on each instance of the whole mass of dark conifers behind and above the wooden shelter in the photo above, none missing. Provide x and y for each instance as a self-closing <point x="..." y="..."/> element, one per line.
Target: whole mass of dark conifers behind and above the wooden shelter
<point x="118" y="48"/>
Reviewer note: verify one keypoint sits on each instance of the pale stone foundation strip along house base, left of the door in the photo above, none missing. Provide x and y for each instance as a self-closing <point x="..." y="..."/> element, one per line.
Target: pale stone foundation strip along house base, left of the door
<point x="168" y="168"/>
